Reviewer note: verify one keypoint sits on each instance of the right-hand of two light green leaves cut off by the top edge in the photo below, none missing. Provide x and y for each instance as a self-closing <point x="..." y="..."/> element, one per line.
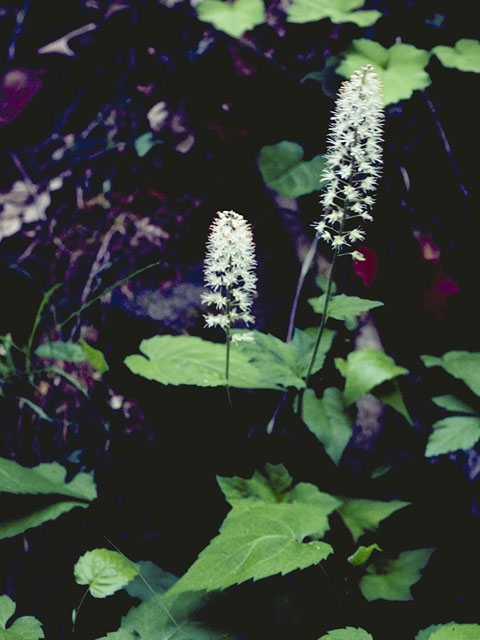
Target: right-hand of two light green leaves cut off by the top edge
<point x="337" y="11"/>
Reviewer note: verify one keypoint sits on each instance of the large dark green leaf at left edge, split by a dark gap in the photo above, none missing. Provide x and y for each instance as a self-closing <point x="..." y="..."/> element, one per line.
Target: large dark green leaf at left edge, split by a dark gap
<point x="45" y="479"/>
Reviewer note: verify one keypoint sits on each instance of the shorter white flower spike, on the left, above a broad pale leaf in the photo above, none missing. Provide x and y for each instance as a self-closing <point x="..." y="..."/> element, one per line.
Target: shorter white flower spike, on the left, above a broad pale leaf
<point x="229" y="271"/>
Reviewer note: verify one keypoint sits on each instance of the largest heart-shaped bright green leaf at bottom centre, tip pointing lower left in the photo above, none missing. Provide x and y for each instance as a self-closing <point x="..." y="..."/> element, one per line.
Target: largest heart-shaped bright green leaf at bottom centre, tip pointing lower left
<point x="257" y="543"/>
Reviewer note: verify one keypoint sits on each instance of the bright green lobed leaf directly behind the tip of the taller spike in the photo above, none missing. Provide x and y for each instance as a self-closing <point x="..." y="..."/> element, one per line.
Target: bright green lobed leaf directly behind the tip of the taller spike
<point x="401" y="69"/>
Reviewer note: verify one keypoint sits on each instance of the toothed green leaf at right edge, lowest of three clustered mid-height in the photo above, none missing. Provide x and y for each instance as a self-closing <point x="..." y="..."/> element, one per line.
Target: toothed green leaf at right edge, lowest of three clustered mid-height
<point x="453" y="434"/>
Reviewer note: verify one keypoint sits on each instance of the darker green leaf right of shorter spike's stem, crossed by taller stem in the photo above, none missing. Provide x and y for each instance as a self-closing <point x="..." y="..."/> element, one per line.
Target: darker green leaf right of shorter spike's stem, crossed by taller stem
<point x="285" y="363"/>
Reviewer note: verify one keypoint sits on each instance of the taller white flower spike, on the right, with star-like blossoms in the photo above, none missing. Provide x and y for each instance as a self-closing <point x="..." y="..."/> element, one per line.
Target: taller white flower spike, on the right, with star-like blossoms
<point x="353" y="161"/>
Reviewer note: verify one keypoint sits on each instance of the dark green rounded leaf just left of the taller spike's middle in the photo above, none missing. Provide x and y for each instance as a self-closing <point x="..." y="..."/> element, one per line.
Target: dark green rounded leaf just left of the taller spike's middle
<point x="284" y="170"/>
